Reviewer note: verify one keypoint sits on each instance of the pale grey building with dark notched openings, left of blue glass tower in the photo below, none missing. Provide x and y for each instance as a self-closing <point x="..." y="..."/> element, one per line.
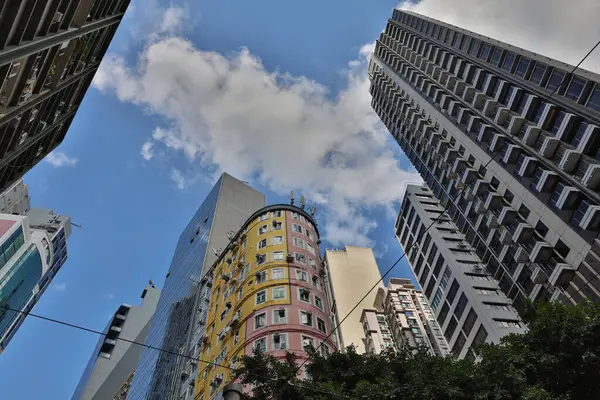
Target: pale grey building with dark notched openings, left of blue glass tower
<point x="109" y="372"/>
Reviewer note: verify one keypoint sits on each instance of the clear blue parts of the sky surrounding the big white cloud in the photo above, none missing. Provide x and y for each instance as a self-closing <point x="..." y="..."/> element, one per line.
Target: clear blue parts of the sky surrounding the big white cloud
<point x="132" y="210"/>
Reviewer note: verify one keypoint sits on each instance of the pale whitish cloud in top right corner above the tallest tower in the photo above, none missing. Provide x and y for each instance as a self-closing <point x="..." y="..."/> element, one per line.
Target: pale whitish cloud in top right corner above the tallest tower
<point x="565" y="30"/>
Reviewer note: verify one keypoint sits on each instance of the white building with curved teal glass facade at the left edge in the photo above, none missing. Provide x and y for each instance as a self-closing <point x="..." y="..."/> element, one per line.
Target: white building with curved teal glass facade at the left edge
<point x="32" y="250"/>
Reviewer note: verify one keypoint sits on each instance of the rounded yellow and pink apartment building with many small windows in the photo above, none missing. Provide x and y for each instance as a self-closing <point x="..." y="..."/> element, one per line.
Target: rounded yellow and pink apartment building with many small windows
<point x="268" y="294"/>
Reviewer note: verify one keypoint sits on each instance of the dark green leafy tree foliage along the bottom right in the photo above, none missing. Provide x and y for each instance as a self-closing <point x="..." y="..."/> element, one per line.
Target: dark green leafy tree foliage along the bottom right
<point x="558" y="358"/>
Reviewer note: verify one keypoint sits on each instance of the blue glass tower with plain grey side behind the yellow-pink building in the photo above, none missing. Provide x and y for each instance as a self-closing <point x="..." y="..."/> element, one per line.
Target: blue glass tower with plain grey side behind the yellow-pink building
<point x="175" y="326"/>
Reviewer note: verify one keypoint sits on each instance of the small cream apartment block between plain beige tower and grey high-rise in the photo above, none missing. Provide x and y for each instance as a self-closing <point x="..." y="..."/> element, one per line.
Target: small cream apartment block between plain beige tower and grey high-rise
<point x="401" y="318"/>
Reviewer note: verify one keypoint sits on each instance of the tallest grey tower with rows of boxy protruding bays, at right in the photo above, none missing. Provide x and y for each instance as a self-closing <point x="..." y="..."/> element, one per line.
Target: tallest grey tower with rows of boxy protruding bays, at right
<point x="456" y="101"/>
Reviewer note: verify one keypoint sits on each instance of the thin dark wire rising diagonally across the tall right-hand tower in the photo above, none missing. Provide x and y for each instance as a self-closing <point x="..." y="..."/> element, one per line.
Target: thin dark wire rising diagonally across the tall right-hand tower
<point x="451" y="202"/>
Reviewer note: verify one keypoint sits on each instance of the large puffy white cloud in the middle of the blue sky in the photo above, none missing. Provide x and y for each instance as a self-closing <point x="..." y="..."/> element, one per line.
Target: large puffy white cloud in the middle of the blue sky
<point x="231" y="114"/>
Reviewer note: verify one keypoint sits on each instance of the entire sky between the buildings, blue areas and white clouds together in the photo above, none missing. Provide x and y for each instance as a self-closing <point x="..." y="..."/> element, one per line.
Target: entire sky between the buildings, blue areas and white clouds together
<point x="274" y="93"/>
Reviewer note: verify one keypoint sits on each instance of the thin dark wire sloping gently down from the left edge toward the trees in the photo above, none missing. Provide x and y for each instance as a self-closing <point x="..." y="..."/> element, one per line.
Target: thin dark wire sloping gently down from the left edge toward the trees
<point x="83" y="328"/>
